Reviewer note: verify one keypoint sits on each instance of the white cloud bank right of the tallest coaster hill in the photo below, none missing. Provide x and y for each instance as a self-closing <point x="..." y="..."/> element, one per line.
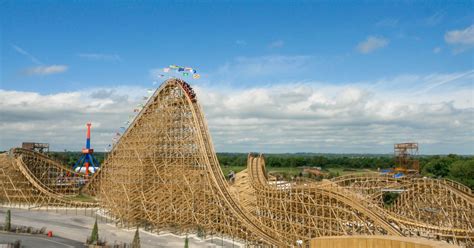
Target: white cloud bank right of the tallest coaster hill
<point x="350" y="118"/>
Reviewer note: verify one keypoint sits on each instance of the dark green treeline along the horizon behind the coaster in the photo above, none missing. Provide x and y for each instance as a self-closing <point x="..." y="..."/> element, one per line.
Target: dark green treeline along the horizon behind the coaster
<point x="455" y="167"/>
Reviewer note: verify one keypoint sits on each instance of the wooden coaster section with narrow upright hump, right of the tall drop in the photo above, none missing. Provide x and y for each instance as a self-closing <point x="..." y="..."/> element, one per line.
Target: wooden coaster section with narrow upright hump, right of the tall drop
<point x="304" y="212"/>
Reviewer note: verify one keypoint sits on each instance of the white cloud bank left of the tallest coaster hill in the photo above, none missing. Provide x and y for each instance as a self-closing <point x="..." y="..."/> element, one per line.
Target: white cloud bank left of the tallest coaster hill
<point x="60" y="118"/>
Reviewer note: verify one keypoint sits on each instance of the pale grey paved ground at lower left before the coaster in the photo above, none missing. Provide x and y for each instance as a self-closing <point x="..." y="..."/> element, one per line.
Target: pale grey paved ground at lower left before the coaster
<point x="78" y="227"/>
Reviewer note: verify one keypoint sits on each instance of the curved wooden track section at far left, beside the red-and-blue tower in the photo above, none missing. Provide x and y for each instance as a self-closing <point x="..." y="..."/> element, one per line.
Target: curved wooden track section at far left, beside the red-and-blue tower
<point x="24" y="185"/>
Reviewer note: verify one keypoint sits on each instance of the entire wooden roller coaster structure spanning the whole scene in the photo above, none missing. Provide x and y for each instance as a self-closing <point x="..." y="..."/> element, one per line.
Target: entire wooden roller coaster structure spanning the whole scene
<point x="164" y="174"/>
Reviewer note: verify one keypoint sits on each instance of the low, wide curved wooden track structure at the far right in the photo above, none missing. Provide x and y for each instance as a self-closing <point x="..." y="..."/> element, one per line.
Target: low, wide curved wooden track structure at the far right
<point x="434" y="208"/>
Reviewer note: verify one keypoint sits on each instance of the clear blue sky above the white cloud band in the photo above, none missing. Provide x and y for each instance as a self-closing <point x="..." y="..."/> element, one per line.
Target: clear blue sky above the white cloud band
<point x="55" y="47"/>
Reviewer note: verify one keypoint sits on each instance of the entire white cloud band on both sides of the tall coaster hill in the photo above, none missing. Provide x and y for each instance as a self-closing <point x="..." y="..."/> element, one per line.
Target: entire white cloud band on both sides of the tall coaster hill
<point x="294" y="117"/>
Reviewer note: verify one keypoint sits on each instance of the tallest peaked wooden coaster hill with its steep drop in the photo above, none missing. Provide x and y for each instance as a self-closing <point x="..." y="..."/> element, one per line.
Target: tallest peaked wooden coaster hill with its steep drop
<point x="164" y="172"/>
